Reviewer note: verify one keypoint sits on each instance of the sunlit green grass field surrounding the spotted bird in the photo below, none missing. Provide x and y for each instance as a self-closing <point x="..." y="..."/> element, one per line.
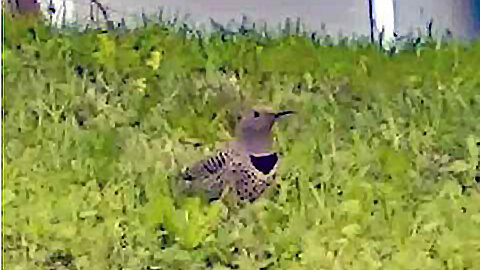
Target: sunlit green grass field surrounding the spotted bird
<point x="378" y="167"/>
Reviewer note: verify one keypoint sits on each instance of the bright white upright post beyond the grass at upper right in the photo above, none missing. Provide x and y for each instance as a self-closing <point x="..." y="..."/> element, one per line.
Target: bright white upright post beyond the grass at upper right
<point x="384" y="20"/>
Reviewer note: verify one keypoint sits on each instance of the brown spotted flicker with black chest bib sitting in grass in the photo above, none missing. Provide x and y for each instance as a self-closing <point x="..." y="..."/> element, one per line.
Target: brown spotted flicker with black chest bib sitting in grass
<point x="245" y="166"/>
